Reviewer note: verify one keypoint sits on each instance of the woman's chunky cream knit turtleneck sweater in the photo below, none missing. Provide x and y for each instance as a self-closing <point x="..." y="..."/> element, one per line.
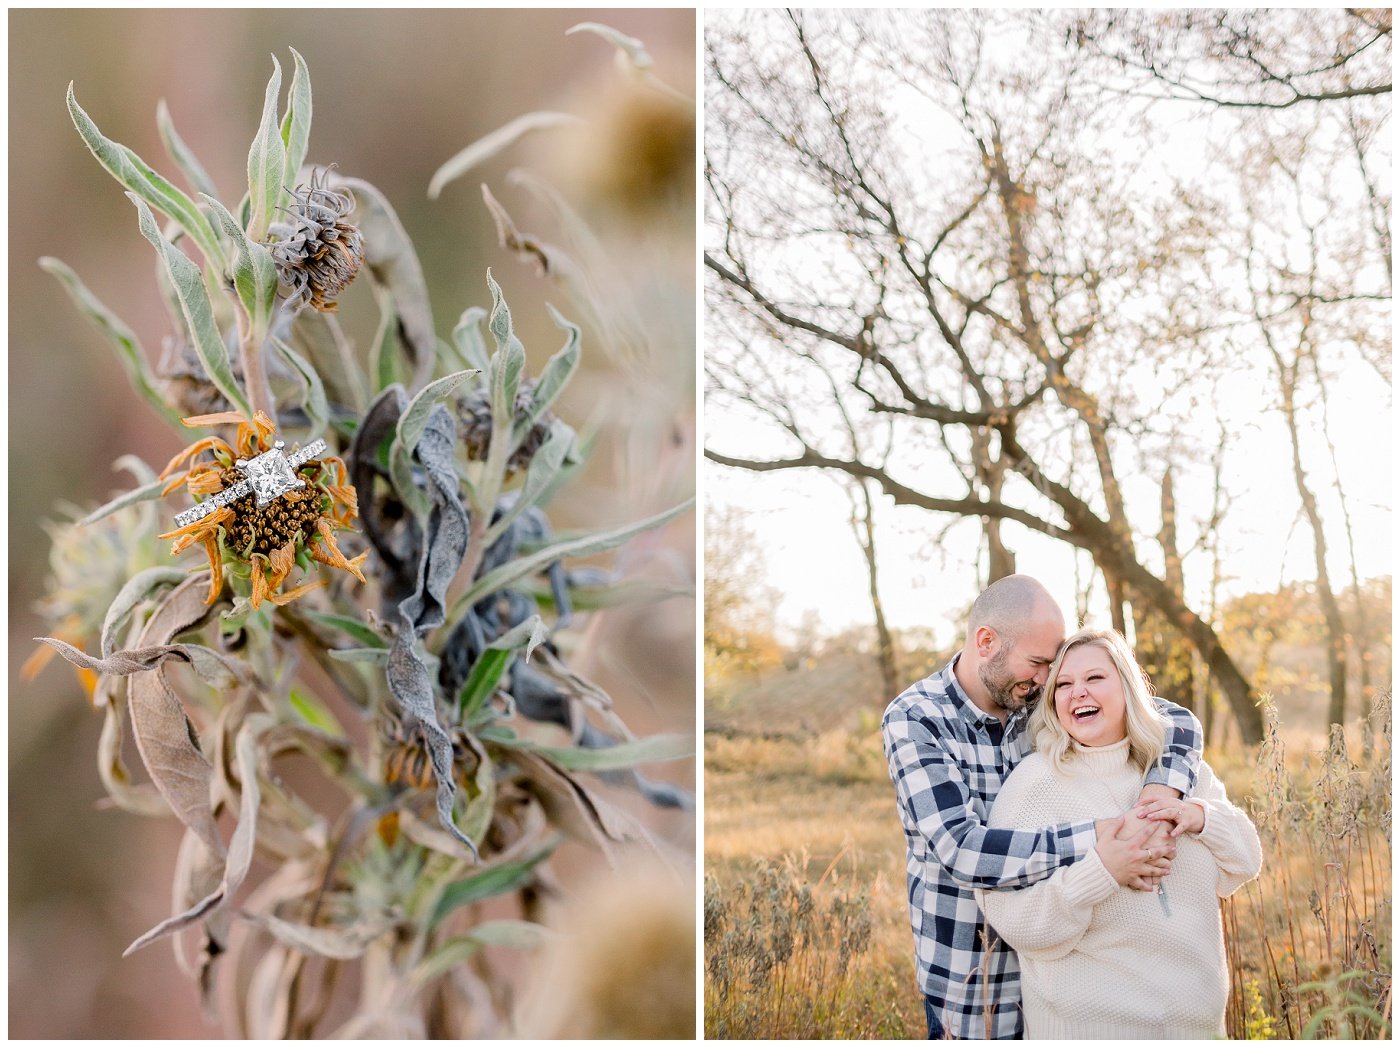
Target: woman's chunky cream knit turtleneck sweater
<point x="1101" y="961"/>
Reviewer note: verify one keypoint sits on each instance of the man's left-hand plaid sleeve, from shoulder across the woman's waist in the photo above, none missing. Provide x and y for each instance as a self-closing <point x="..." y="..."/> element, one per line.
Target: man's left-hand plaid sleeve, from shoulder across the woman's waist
<point x="937" y="802"/>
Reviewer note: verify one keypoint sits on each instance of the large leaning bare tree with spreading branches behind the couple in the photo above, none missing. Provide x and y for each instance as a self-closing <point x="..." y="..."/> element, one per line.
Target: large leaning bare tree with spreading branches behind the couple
<point x="995" y="288"/>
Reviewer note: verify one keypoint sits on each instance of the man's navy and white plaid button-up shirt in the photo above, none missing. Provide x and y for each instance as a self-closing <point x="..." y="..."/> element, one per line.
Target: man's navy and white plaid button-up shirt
<point x="948" y="760"/>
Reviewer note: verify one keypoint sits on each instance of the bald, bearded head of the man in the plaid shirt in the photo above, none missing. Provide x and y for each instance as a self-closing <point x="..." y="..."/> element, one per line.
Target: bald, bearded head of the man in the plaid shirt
<point x="1014" y="632"/>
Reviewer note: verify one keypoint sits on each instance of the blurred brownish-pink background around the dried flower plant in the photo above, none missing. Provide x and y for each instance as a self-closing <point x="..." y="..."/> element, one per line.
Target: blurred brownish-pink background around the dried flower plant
<point x="397" y="97"/>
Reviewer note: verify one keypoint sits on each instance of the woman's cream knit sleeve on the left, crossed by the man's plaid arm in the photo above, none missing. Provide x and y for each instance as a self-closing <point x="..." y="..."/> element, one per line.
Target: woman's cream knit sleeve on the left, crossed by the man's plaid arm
<point x="1048" y="919"/>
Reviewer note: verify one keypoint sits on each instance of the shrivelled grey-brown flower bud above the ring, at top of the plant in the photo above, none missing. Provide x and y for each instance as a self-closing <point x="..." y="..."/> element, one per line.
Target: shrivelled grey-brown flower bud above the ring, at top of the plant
<point x="317" y="253"/>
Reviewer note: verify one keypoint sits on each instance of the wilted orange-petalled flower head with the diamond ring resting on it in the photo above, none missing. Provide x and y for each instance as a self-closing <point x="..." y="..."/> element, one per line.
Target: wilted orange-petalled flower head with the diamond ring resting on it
<point x="314" y="503"/>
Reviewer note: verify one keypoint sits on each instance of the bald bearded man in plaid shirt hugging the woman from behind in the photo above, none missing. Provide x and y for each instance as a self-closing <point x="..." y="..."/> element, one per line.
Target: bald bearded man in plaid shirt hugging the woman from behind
<point x="951" y="741"/>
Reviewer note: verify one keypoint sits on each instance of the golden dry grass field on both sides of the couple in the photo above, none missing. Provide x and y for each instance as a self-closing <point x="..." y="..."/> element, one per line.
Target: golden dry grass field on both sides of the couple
<point x="806" y="921"/>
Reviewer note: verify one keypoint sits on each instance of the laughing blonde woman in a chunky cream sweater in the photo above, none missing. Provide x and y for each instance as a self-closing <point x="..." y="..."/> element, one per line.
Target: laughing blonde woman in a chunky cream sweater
<point x="1101" y="961"/>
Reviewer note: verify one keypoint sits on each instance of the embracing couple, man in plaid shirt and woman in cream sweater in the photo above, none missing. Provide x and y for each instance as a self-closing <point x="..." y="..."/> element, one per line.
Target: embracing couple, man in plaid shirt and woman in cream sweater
<point x="1067" y="844"/>
